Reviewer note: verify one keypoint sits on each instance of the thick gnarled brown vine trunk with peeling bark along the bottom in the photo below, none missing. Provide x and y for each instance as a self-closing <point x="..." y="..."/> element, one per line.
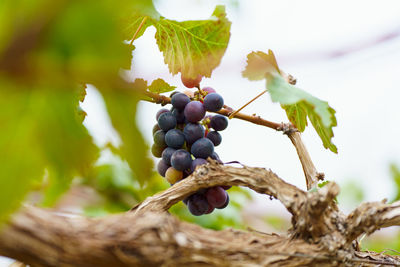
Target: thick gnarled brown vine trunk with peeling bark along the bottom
<point x="148" y="236"/>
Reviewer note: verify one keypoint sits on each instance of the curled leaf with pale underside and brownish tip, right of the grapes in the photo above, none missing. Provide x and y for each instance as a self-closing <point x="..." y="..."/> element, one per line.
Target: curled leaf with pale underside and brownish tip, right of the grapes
<point x="297" y="103"/>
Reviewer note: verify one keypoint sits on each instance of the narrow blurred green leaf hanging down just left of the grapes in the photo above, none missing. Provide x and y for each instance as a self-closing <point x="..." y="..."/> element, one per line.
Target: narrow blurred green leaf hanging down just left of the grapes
<point x="121" y="106"/>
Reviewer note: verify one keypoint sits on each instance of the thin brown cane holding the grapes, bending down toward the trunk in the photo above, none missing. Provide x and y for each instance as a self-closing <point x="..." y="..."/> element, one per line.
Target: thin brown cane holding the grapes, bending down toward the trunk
<point x="310" y="172"/>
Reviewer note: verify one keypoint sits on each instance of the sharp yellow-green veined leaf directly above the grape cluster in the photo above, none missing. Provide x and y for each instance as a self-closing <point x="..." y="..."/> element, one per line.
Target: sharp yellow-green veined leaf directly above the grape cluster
<point x="194" y="47"/>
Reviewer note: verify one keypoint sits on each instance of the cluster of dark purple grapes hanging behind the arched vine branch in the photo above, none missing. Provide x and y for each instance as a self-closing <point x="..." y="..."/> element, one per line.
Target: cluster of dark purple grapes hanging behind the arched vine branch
<point x="184" y="137"/>
